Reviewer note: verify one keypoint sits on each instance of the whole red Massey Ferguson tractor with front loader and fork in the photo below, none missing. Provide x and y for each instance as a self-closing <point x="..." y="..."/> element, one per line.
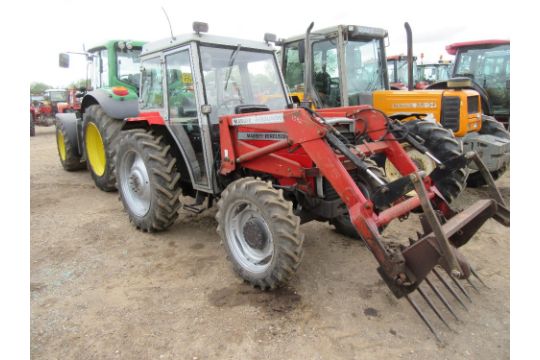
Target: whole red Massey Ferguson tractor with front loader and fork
<point x="216" y="123"/>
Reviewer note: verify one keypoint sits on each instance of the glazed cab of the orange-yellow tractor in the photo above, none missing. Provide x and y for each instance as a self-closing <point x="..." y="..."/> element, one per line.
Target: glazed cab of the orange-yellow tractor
<point x="348" y="64"/>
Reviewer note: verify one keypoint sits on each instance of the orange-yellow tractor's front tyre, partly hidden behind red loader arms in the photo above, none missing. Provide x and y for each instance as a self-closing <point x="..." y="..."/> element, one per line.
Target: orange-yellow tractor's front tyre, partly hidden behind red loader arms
<point x="444" y="146"/>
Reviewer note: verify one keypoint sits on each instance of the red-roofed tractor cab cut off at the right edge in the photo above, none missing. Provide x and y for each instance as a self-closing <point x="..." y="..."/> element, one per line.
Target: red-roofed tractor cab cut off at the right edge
<point x="487" y="63"/>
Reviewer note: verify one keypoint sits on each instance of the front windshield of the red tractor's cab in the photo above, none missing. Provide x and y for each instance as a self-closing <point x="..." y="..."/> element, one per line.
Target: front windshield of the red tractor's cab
<point x="249" y="78"/>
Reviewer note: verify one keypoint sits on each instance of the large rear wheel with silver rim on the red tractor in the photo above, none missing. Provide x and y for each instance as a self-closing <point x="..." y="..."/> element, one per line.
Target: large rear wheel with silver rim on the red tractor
<point x="148" y="180"/>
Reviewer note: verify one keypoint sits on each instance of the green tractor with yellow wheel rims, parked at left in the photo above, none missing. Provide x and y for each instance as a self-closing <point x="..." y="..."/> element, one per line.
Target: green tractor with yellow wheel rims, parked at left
<point x="88" y="138"/>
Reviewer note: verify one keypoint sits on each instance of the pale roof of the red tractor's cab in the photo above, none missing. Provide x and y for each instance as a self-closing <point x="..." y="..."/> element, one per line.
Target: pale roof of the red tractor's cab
<point x="184" y="39"/>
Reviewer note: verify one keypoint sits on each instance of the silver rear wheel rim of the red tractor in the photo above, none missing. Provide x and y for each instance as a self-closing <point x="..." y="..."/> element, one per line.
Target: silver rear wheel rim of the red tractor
<point x="135" y="183"/>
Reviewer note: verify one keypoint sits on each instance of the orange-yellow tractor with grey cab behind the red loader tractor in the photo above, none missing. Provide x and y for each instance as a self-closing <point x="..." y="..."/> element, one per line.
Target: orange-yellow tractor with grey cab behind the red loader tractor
<point x="347" y="67"/>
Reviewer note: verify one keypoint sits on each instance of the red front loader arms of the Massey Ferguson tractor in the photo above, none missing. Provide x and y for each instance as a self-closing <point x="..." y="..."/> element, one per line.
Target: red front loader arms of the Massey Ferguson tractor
<point x="330" y="160"/>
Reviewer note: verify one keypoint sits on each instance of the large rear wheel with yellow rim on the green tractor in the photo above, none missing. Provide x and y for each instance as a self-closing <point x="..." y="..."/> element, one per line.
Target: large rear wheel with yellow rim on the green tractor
<point x="101" y="134"/>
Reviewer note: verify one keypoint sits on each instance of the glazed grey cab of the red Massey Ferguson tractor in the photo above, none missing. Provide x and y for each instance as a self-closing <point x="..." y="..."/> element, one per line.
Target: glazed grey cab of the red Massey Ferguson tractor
<point x="192" y="80"/>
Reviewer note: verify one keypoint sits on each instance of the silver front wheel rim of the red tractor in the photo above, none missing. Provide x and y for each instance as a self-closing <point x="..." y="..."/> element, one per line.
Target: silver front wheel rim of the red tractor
<point x="249" y="237"/>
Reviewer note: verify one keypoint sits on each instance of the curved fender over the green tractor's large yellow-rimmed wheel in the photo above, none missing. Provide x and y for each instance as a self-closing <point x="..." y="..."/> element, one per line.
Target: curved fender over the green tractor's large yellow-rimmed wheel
<point x="114" y="106"/>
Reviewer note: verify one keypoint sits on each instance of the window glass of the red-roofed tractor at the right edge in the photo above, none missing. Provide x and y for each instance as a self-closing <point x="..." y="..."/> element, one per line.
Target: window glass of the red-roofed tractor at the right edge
<point x="490" y="68"/>
